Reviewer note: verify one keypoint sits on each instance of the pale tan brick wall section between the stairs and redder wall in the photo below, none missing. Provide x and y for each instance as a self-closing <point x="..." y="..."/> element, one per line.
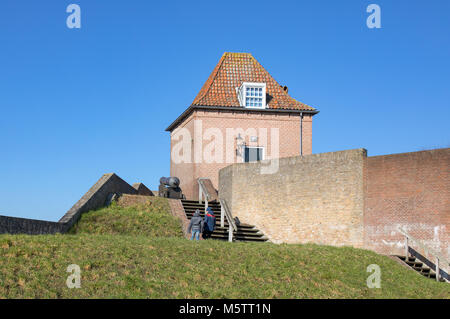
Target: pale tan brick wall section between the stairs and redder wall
<point x="315" y="198"/>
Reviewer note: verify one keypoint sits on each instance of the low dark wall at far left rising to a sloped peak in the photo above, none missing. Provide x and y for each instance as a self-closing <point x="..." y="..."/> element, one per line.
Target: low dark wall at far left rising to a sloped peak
<point x="95" y="198"/>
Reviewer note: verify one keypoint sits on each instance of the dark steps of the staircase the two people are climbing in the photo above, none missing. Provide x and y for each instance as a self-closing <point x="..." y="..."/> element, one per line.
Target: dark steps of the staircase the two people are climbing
<point x="245" y="232"/>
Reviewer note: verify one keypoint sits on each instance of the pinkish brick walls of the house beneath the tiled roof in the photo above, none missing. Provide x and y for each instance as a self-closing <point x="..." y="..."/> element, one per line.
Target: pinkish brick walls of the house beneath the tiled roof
<point x="288" y="125"/>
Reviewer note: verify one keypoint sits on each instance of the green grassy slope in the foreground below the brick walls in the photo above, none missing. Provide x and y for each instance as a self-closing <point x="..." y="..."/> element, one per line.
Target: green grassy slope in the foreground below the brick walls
<point x="144" y="263"/>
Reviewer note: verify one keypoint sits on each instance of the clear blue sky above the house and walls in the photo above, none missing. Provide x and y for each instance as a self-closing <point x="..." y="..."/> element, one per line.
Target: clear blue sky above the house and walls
<point x="77" y="103"/>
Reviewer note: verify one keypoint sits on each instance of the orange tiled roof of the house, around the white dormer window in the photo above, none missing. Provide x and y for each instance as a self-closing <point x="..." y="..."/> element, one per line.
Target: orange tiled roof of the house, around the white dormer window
<point x="230" y="72"/>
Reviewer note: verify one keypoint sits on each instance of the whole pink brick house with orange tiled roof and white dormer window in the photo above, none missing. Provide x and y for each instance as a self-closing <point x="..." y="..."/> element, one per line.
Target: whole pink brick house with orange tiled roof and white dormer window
<point x="241" y="114"/>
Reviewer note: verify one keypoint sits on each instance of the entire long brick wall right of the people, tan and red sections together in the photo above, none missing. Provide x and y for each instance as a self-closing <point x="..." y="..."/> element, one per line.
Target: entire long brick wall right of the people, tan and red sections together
<point x="347" y="198"/>
